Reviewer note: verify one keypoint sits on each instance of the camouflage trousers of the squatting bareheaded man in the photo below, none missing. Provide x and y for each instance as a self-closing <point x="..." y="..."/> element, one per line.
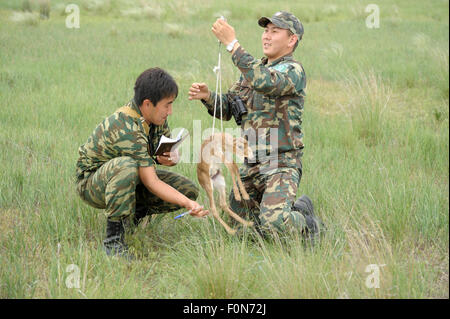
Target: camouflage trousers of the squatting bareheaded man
<point x="116" y="187"/>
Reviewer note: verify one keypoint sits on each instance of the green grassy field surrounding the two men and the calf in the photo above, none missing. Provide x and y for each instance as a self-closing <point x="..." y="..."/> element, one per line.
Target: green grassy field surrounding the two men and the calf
<point x="376" y="161"/>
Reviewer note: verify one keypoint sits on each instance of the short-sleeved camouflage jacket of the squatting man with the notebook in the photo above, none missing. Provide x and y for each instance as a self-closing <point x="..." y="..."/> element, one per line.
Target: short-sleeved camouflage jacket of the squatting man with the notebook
<point x="120" y="135"/>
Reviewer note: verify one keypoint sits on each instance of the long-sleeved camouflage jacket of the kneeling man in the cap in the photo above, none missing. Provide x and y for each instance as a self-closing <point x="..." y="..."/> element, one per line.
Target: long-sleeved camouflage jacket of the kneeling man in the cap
<point x="274" y="95"/>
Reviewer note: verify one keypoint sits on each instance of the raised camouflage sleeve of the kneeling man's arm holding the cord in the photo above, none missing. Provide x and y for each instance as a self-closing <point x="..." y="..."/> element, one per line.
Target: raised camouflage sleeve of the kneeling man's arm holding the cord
<point x="268" y="80"/>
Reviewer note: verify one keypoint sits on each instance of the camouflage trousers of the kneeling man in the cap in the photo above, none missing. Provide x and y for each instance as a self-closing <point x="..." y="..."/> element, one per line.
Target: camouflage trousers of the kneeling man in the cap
<point x="272" y="193"/>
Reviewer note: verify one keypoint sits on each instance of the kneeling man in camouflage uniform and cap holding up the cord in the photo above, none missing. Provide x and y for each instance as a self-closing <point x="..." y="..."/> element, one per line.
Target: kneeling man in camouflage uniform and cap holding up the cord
<point x="273" y="90"/>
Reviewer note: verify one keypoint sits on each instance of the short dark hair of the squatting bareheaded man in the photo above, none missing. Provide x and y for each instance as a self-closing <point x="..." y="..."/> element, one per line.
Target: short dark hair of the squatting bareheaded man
<point x="154" y="84"/>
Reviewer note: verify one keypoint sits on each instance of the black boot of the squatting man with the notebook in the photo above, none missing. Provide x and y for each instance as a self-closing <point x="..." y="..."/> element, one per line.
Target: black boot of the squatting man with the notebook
<point x="114" y="243"/>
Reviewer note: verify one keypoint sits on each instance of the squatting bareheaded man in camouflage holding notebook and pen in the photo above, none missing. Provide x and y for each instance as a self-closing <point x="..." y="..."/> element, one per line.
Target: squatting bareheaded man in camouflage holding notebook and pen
<point x="116" y="170"/>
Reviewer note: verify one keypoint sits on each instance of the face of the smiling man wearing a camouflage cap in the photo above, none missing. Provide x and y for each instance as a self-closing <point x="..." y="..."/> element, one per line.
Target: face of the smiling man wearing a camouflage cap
<point x="276" y="42"/>
